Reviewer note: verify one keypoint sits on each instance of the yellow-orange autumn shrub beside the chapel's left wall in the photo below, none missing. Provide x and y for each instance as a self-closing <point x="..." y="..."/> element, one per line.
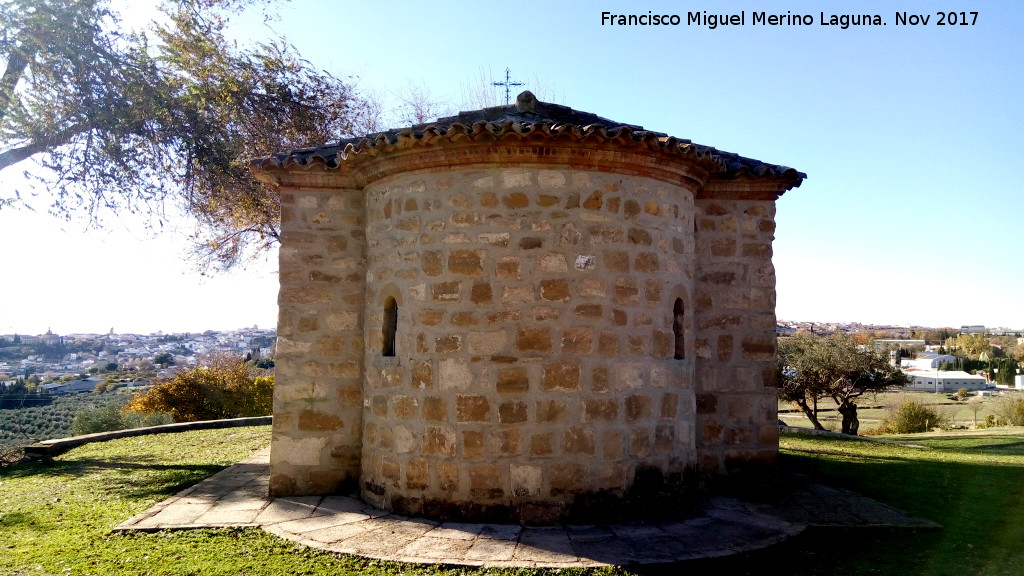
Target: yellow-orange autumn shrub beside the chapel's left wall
<point x="225" y="389"/>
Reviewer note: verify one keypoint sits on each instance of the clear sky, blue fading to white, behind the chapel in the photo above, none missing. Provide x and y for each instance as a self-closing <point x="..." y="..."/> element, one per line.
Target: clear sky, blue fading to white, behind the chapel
<point x="910" y="136"/>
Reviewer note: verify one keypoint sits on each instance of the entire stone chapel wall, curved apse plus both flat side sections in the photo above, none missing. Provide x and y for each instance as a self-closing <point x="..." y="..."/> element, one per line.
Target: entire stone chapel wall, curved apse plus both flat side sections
<point x="533" y="333"/>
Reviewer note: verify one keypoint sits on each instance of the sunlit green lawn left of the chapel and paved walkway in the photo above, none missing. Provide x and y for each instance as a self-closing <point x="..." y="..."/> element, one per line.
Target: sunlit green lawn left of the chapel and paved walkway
<point x="57" y="519"/>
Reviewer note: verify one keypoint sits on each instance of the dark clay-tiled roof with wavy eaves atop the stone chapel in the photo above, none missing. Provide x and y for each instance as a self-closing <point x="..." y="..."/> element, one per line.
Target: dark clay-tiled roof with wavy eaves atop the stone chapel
<point x="524" y="120"/>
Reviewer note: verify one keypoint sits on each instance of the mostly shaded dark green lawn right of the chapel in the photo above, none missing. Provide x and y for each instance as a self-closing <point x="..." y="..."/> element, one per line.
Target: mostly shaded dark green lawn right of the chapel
<point x="975" y="502"/>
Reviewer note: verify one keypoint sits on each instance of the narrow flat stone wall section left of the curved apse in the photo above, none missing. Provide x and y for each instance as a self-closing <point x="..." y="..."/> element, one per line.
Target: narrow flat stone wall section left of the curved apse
<point x="319" y="387"/>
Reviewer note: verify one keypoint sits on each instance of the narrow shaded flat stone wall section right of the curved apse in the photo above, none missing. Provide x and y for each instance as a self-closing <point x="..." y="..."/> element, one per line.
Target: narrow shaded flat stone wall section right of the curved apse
<point x="736" y="343"/>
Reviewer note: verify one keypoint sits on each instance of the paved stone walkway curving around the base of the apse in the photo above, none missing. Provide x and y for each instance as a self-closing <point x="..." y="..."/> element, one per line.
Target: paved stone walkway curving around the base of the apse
<point x="237" y="497"/>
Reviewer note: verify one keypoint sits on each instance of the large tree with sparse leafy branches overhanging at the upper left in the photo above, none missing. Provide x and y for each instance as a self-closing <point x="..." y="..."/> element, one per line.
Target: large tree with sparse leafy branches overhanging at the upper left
<point x="122" y="121"/>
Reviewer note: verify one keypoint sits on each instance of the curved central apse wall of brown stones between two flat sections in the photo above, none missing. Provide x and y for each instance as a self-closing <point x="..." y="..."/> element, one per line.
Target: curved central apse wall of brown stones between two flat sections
<point x="534" y="372"/>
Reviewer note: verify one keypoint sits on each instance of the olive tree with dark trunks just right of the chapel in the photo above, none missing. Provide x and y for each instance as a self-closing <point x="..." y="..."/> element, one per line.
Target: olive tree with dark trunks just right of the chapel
<point x="814" y="368"/>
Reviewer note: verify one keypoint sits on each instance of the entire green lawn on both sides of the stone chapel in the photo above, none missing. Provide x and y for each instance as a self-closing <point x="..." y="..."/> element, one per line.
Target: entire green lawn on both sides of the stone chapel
<point x="57" y="519"/>
